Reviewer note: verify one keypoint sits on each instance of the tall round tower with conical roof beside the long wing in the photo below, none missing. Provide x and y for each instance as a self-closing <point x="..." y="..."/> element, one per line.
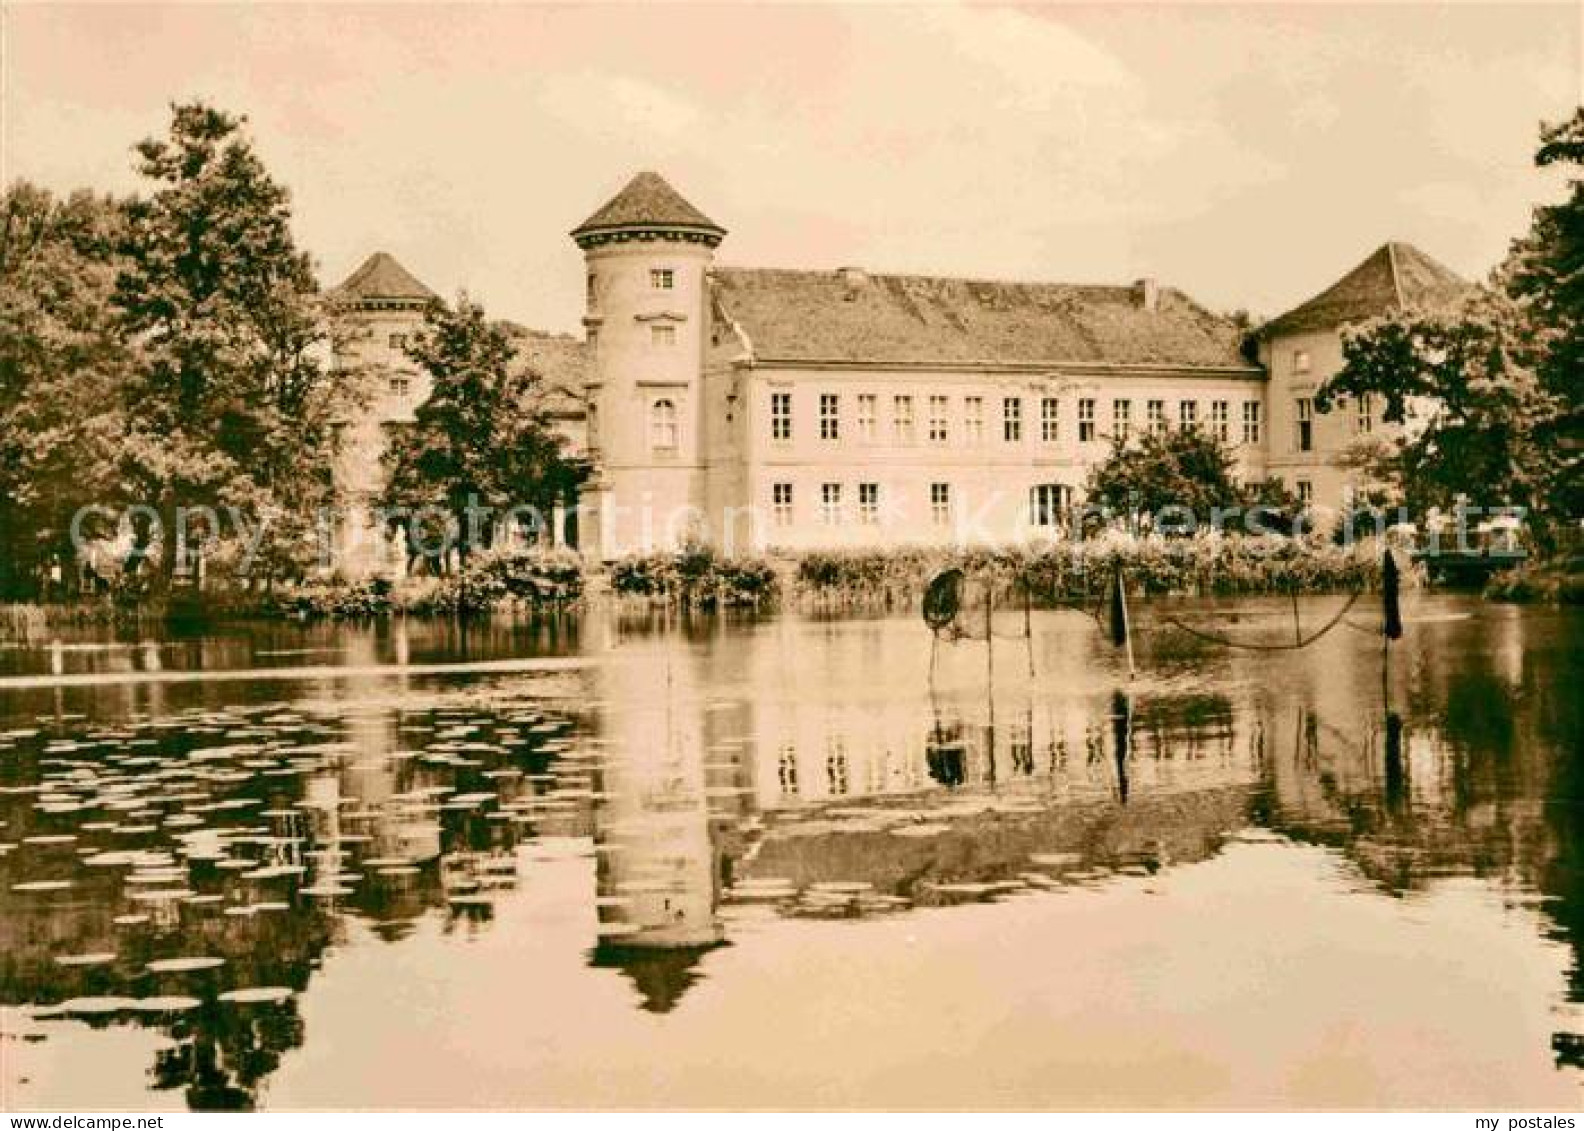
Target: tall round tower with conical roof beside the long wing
<point x="647" y="257"/>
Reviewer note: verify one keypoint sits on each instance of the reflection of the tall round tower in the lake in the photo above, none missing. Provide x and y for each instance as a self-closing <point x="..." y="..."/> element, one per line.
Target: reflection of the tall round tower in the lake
<point x="658" y="870"/>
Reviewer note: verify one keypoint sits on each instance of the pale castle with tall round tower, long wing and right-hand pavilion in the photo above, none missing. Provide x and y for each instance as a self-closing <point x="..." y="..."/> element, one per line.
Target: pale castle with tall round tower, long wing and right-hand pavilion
<point x="798" y="409"/>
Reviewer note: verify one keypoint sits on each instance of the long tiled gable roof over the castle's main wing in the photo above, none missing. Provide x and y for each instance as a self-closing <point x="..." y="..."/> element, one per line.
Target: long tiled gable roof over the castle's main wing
<point x="848" y="316"/>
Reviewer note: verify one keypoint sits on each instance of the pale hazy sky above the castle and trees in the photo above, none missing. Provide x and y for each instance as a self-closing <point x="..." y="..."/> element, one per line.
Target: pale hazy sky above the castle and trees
<point x="1244" y="154"/>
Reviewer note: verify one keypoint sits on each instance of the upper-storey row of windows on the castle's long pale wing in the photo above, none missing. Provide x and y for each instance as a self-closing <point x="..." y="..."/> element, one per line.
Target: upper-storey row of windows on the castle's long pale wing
<point x="905" y="430"/>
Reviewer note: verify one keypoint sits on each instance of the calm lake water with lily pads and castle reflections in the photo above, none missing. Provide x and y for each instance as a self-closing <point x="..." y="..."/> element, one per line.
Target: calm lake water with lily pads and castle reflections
<point x="777" y="863"/>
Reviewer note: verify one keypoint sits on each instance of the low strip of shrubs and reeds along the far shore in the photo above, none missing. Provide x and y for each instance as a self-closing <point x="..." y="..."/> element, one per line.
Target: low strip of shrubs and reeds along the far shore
<point x="829" y="582"/>
